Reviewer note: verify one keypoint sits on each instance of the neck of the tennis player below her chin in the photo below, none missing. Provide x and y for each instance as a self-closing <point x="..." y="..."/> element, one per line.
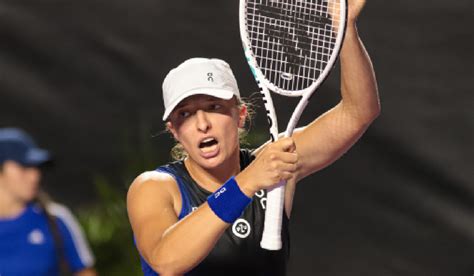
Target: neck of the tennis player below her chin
<point x="212" y="179"/>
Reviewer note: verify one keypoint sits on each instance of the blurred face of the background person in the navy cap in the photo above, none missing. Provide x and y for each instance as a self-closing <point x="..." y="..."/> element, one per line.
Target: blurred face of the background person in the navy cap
<point x="19" y="182"/>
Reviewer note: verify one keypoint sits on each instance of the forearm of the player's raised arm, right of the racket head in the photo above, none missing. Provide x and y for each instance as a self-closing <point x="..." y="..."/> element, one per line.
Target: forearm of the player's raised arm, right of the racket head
<point x="358" y="83"/>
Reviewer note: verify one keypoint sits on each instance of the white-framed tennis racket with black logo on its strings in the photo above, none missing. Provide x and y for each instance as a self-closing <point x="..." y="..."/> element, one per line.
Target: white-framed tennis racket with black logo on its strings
<point x="291" y="46"/>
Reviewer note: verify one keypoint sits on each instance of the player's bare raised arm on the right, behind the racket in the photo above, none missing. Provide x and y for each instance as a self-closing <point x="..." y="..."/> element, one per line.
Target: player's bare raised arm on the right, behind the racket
<point x="332" y="134"/>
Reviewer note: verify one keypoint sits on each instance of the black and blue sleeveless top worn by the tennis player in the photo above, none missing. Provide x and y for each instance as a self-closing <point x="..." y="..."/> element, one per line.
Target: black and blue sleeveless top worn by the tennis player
<point x="238" y="251"/>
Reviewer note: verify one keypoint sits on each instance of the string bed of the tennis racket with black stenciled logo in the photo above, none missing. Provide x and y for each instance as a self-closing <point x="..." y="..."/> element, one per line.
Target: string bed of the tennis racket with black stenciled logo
<point x="292" y="40"/>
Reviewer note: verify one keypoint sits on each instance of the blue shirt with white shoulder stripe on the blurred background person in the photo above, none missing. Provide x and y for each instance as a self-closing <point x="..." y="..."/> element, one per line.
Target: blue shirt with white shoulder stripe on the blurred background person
<point x="27" y="244"/>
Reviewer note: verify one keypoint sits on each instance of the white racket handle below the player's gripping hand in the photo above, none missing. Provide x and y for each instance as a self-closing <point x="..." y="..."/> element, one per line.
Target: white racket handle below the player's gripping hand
<point x="271" y="237"/>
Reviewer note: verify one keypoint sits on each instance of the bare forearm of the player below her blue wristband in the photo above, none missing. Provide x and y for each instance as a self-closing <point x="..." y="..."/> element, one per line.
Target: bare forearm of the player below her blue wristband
<point x="188" y="242"/>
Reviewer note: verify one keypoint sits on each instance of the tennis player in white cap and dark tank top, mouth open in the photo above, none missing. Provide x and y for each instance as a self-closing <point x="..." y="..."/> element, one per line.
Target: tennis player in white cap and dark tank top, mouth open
<point x="203" y="215"/>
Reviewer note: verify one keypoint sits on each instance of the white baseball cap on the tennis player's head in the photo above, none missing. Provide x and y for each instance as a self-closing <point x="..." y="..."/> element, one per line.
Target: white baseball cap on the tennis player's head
<point x="195" y="76"/>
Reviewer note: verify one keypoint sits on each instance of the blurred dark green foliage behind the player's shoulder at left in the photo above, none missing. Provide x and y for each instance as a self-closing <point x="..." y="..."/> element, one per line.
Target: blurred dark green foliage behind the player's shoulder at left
<point x="106" y="222"/>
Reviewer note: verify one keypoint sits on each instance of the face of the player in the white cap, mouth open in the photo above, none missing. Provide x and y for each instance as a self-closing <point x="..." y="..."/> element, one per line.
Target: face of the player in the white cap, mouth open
<point x="207" y="127"/>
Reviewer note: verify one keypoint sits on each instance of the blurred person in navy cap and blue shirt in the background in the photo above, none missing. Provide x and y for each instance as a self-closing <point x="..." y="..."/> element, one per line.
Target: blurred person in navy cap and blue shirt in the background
<point x="37" y="237"/>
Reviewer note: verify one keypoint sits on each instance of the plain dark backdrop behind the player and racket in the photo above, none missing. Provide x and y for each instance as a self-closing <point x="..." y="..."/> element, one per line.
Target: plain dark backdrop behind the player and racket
<point x="84" y="77"/>
